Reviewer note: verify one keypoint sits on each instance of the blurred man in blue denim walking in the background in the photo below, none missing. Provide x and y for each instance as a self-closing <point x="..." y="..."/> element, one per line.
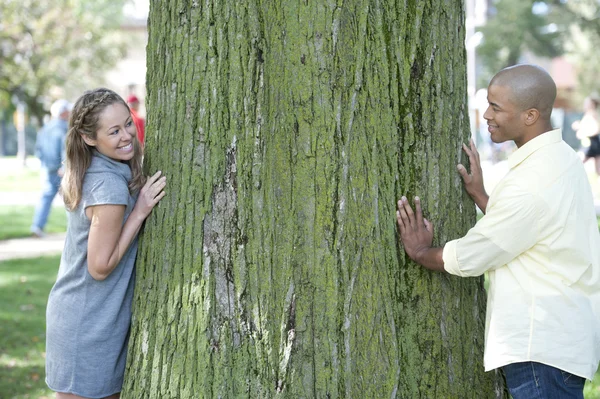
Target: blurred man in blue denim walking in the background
<point x="50" y="149"/>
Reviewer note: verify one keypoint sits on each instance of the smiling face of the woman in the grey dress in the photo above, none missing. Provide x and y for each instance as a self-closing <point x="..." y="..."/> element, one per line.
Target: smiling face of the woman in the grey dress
<point x="115" y="134"/>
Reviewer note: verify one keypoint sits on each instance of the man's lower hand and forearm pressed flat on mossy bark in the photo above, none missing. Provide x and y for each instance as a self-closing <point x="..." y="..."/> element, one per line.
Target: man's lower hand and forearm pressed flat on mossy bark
<point x="416" y="234"/>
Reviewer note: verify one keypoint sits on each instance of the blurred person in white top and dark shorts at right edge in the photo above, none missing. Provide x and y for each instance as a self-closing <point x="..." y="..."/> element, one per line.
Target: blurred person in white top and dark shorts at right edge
<point x="588" y="131"/>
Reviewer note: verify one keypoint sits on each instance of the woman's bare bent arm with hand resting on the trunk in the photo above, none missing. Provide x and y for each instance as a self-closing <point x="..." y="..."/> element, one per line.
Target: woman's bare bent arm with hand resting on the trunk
<point x="109" y="238"/>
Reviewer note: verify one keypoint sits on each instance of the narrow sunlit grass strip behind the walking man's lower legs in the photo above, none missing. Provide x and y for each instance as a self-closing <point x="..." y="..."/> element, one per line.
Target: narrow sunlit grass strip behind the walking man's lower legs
<point x="15" y="221"/>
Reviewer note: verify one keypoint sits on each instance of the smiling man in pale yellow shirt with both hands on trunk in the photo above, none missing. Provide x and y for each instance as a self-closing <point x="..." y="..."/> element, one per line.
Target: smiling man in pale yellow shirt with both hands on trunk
<point x="538" y="241"/>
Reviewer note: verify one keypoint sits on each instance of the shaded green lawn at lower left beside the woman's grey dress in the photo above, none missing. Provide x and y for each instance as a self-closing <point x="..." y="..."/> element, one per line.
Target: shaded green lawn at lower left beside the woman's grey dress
<point x="24" y="288"/>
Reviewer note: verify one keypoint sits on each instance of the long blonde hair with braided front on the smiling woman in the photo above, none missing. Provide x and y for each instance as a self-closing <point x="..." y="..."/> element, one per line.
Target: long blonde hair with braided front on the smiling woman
<point x="84" y="121"/>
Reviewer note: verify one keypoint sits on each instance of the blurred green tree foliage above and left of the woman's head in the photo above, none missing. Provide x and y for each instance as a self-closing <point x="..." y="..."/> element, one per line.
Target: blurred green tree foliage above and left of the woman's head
<point x="66" y="44"/>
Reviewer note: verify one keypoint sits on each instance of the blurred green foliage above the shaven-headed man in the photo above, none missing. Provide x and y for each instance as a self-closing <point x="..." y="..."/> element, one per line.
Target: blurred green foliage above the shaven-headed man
<point x="544" y="28"/>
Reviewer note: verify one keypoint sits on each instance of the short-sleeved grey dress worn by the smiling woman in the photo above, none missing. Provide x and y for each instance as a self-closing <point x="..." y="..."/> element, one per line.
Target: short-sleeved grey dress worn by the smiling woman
<point x="87" y="321"/>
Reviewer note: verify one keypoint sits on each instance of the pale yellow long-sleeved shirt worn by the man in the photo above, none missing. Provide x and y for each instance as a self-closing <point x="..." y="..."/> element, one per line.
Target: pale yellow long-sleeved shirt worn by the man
<point x="539" y="241"/>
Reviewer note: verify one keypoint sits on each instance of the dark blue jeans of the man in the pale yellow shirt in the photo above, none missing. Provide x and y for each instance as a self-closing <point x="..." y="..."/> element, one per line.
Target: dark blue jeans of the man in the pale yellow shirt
<point x="531" y="380"/>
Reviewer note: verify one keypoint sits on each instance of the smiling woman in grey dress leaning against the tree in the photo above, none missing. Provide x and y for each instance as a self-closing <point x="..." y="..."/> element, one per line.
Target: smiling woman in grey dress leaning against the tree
<point x="107" y="199"/>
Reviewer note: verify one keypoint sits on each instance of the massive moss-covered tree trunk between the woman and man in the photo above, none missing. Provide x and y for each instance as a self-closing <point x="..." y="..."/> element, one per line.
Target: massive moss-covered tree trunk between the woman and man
<point x="287" y="131"/>
